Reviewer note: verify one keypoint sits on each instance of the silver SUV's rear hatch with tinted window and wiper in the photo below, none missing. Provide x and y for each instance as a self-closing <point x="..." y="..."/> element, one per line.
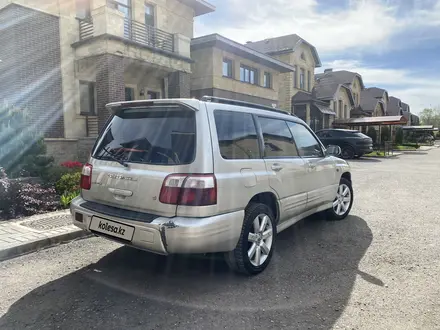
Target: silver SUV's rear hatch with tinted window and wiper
<point x="138" y="149"/>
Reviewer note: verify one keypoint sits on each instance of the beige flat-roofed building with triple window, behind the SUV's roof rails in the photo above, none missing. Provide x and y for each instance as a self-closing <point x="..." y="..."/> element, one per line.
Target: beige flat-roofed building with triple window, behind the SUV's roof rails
<point x="227" y="69"/>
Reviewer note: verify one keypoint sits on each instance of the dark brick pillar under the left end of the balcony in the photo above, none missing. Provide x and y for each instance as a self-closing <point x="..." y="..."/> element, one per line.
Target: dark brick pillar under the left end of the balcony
<point x="110" y="86"/>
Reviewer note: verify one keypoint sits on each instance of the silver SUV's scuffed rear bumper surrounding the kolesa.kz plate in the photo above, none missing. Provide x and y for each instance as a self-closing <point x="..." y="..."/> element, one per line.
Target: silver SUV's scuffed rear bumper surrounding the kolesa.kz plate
<point x="173" y="235"/>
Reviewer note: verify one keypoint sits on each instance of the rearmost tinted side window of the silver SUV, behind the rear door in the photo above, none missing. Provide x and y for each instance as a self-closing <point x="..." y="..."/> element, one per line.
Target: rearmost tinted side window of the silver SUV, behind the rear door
<point x="237" y="135"/>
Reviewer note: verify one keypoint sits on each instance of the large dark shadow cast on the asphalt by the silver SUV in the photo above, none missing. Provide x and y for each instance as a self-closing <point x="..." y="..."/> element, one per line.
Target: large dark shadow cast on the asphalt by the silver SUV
<point x="306" y="286"/>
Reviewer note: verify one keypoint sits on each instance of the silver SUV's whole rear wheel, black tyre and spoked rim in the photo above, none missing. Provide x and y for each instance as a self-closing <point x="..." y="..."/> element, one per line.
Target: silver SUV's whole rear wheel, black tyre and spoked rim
<point x="252" y="243"/>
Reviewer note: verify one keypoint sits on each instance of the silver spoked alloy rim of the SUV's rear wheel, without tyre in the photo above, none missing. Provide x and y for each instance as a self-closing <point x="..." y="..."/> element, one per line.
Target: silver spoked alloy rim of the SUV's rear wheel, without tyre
<point x="260" y="240"/>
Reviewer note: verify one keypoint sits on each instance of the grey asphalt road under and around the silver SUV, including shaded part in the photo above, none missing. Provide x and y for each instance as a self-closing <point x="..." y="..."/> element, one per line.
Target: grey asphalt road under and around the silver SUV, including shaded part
<point x="379" y="269"/>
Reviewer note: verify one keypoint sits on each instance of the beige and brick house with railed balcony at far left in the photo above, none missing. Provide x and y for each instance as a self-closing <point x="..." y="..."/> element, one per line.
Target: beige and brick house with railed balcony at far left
<point x="97" y="51"/>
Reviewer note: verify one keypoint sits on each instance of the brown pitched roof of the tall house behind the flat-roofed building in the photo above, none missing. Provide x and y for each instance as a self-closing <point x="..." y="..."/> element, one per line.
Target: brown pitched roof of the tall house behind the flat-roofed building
<point x="282" y="44"/>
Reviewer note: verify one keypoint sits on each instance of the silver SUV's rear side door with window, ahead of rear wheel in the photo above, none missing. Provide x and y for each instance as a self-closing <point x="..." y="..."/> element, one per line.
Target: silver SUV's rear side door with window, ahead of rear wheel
<point x="287" y="171"/>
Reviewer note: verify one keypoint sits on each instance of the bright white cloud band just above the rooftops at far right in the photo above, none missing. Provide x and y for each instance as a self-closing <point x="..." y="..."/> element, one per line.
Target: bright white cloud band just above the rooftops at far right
<point x="412" y="88"/>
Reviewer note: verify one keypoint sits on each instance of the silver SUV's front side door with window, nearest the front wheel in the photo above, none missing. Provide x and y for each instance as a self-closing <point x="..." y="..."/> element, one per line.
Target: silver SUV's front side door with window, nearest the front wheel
<point x="321" y="170"/>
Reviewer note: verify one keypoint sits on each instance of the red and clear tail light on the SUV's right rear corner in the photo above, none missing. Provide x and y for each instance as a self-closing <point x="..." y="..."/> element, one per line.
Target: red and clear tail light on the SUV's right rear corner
<point x="189" y="190"/>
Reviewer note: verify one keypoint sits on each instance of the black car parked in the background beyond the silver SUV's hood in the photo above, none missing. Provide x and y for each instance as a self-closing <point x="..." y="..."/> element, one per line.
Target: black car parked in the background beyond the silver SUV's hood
<point x="353" y="144"/>
